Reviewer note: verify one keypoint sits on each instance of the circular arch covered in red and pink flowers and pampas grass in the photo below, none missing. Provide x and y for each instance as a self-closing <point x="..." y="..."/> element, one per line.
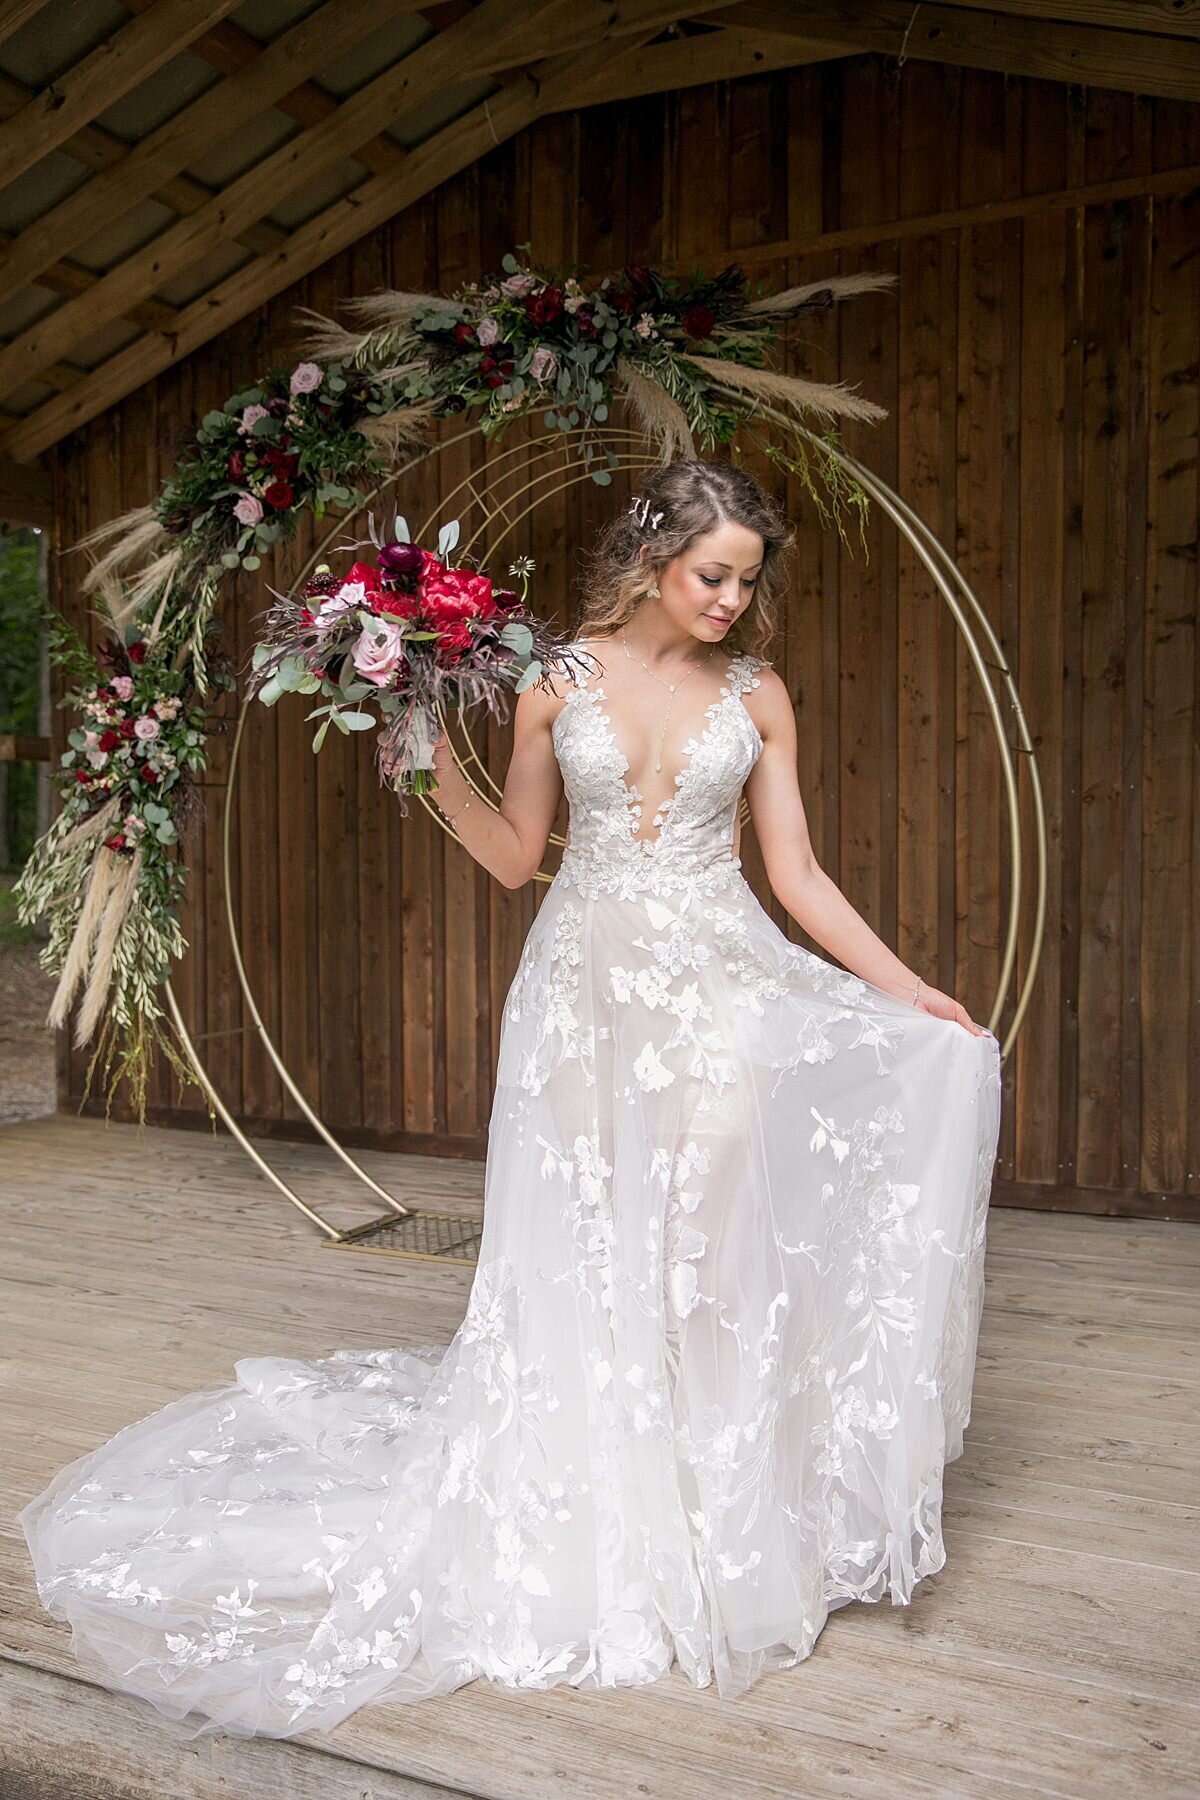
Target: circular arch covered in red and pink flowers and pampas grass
<point x="692" y="364"/>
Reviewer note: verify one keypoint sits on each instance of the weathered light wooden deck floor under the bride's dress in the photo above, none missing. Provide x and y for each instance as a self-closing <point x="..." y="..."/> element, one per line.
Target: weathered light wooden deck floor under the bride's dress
<point x="1055" y="1655"/>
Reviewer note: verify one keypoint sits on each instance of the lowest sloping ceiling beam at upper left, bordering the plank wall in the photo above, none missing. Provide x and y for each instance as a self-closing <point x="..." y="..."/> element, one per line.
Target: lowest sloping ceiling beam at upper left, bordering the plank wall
<point x="548" y="87"/>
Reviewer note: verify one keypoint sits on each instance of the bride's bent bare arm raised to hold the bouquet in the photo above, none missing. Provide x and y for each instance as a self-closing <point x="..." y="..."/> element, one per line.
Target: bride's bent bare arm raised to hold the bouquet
<point x="508" y="843"/>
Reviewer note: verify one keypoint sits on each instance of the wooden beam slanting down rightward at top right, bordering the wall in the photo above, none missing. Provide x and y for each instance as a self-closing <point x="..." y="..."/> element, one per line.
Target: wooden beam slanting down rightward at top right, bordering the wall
<point x="1169" y="67"/>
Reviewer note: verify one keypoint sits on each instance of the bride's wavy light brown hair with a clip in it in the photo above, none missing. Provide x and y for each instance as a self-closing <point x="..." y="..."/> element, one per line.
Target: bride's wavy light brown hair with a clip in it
<point x="692" y="499"/>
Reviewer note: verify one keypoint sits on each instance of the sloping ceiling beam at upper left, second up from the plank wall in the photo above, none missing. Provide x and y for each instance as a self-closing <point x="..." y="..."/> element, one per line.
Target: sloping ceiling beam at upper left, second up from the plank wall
<point x="497" y="35"/>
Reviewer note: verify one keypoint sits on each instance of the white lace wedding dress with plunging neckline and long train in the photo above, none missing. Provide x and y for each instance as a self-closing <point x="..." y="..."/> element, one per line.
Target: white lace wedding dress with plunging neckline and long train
<point x="717" y="1351"/>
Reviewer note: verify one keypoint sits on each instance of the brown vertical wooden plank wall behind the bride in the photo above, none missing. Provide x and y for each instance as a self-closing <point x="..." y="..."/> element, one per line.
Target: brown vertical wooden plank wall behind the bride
<point x="1043" y="377"/>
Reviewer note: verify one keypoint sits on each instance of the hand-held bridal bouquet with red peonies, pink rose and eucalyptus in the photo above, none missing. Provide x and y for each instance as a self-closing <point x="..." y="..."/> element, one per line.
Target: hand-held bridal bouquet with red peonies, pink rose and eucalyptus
<point x="399" y="640"/>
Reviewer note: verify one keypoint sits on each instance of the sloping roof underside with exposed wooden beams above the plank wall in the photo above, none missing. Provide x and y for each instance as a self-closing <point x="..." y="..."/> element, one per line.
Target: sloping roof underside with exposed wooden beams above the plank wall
<point x="166" y="166"/>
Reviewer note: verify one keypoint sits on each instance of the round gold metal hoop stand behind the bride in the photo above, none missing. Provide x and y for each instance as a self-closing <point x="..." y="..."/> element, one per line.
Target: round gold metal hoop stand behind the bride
<point x="542" y="472"/>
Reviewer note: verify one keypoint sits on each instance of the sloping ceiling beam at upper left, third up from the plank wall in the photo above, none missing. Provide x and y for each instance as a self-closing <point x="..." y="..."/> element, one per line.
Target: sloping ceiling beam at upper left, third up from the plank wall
<point x="190" y="134"/>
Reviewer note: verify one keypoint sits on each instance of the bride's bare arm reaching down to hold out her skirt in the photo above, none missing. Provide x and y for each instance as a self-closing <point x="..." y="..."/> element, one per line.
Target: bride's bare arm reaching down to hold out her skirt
<point x="798" y="881"/>
